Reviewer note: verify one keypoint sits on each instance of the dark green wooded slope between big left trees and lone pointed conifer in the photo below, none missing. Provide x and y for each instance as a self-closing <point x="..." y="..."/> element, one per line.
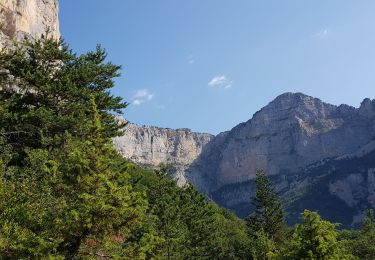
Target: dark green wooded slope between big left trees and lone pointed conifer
<point x="186" y="224"/>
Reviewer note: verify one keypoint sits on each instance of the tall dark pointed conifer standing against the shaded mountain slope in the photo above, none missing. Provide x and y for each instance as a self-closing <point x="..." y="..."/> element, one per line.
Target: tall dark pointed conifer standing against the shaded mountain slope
<point x="269" y="215"/>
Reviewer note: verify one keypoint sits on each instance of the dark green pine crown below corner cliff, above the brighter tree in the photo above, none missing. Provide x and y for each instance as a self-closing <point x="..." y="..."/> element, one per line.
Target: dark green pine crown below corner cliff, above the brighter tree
<point x="56" y="92"/>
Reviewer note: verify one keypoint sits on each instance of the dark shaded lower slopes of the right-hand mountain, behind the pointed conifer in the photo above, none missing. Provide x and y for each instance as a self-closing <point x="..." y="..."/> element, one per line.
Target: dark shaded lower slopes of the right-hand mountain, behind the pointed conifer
<point x="342" y="189"/>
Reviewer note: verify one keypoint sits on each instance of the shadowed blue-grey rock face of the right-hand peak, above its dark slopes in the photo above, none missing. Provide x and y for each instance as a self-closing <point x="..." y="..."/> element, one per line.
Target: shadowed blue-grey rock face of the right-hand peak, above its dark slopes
<point x="291" y="132"/>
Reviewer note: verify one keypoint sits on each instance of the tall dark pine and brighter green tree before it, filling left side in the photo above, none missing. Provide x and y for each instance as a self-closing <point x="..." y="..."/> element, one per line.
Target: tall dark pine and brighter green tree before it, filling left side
<point x="60" y="187"/>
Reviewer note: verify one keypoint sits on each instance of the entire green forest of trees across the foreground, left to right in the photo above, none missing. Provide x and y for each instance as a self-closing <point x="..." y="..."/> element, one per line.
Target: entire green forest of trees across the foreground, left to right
<point x="65" y="193"/>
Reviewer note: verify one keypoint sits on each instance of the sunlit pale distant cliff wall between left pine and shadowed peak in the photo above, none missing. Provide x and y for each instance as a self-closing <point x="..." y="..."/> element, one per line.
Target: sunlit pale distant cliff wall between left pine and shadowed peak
<point x="153" y="146"/>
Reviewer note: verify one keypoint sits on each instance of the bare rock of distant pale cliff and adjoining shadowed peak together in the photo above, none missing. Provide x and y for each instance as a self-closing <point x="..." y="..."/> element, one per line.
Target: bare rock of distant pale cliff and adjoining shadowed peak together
<point x="291" y="132"/>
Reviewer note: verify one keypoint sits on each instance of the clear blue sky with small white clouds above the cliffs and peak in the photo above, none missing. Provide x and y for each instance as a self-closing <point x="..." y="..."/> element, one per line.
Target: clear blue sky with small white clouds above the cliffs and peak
<point x="211" y="64"/>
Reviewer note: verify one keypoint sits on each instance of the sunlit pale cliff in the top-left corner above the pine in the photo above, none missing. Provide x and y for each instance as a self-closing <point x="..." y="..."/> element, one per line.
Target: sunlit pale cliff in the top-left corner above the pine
<point x="27" y="18"/>
